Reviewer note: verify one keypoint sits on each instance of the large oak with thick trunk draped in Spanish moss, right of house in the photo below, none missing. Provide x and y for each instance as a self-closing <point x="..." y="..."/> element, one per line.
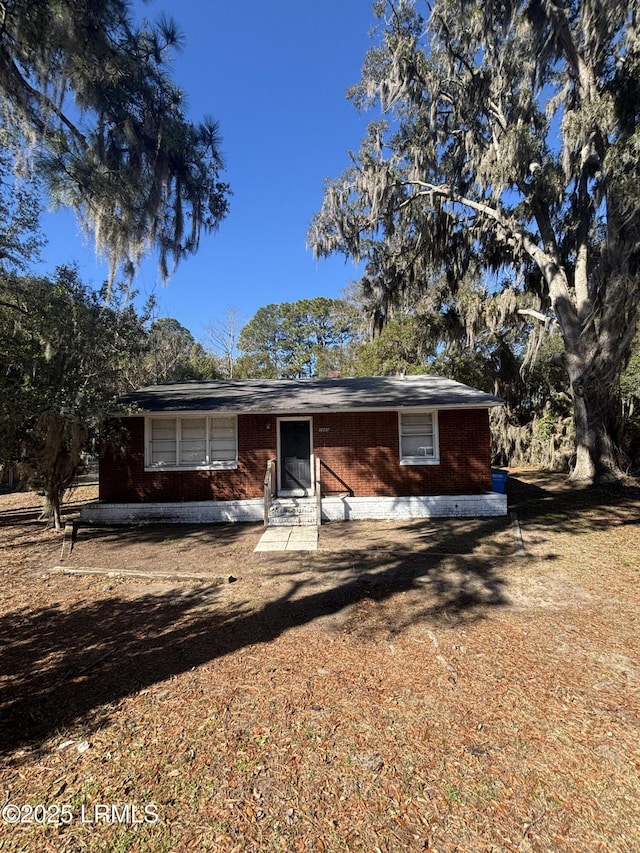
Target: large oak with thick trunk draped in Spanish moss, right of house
<point x="509" y="144"/>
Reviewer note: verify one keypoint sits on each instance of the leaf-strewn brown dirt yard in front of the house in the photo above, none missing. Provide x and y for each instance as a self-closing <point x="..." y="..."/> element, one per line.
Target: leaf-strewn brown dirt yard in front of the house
<point x="410" y="686"/>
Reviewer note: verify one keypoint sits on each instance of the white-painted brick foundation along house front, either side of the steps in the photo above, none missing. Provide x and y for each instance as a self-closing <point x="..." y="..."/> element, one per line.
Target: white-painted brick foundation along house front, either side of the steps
<point x="333" y="509"/>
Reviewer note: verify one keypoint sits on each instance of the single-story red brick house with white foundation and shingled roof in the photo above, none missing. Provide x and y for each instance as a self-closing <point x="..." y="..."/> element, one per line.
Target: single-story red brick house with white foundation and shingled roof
<point x="252" y="450"/>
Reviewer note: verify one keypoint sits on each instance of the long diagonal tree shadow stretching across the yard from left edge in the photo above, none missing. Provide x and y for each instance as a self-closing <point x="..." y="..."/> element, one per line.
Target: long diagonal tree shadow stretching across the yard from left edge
<point x="62" y="666"/>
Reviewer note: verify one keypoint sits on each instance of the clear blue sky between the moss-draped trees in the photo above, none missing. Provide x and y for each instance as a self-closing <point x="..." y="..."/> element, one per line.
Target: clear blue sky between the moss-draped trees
<point x="275" y="76"/>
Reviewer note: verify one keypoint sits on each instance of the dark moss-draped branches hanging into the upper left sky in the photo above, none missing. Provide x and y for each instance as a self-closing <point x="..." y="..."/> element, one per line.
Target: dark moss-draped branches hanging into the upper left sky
<point x="88" y="93"/>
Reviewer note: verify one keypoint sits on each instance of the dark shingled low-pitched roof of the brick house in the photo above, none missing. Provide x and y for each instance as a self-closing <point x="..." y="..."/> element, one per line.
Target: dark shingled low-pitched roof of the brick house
<point x="309" y="395"/>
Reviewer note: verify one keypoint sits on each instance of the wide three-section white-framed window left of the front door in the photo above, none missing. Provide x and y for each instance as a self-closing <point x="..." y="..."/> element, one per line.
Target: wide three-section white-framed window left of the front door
<point x="191" y="442"/>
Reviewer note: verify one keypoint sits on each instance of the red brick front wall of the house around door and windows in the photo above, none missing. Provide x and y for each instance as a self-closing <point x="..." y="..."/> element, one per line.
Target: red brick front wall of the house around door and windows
<point x="359" y="451"/>
